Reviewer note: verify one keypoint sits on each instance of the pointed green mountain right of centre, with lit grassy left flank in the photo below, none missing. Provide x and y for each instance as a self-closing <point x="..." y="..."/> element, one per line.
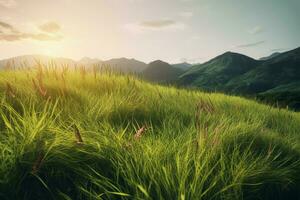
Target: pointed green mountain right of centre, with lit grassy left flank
<point x="218" y="71"/>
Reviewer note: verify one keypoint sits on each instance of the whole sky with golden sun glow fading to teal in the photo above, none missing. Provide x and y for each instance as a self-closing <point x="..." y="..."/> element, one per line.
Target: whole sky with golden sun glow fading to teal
<point x="171" y="30"/>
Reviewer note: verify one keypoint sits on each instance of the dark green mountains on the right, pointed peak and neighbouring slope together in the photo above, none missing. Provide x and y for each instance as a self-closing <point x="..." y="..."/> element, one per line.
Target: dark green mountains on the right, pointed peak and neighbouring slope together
<point x="273" y="79"/>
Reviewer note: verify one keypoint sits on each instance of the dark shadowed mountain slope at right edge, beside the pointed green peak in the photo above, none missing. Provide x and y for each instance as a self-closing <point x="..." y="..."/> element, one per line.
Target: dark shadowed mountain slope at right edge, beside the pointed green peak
<point x="280" y="70"/>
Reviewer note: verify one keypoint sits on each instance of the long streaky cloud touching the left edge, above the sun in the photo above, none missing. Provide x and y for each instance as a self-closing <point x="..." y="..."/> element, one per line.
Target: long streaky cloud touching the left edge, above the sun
<point x="10" y="34"/>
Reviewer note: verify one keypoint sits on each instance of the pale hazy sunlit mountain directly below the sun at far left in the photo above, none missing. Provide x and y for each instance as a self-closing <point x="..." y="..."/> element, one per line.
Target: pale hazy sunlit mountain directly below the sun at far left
<point x="28" y="61"/>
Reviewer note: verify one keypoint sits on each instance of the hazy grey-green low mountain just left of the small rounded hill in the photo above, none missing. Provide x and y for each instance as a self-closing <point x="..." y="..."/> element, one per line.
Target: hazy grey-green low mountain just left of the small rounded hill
<point x="126" y="65"/>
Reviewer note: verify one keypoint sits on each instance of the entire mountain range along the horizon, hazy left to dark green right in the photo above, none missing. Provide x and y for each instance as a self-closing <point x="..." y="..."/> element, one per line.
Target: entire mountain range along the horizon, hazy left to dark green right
<point x="275" y="78"/>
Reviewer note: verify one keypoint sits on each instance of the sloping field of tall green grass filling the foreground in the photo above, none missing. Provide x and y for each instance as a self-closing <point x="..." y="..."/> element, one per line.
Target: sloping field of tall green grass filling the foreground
<point x="231" y="148"/>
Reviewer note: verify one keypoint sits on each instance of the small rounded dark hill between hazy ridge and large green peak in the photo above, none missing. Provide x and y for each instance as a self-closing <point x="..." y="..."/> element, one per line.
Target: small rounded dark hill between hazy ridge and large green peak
<point x="159" y="71"/>
